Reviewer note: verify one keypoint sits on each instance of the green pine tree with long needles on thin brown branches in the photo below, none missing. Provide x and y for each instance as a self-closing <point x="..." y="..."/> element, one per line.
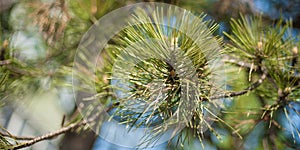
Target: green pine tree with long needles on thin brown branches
<point x="168" y="73"/>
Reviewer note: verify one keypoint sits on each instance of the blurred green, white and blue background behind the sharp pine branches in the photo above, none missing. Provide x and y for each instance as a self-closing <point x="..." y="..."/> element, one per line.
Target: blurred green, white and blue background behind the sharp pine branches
<point x="44" y="36"/>
